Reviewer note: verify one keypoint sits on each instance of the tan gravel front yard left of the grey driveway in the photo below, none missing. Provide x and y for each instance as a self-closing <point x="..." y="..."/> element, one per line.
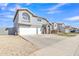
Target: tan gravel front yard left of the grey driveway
<point x="15" y="45"/>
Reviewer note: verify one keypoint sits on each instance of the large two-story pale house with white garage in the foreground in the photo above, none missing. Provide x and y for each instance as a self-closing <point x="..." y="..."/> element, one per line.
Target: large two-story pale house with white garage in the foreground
<point x="26" y="23"/>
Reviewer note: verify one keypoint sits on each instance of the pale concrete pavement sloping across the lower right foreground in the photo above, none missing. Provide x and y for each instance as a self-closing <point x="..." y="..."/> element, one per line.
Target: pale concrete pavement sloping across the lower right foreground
<point x="68" y="47"/>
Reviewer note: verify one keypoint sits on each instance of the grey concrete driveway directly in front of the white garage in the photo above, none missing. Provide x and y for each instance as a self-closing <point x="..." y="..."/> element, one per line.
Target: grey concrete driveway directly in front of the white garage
<point x="44" y="40"/>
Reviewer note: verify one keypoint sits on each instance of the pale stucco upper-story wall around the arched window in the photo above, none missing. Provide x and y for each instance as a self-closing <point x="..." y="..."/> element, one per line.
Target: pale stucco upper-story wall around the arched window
<point x="33" y="20"/>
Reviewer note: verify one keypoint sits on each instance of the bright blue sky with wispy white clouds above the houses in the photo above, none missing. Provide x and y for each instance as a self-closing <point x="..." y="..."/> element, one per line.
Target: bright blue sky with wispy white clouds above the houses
<point x="67" y="13"/>
